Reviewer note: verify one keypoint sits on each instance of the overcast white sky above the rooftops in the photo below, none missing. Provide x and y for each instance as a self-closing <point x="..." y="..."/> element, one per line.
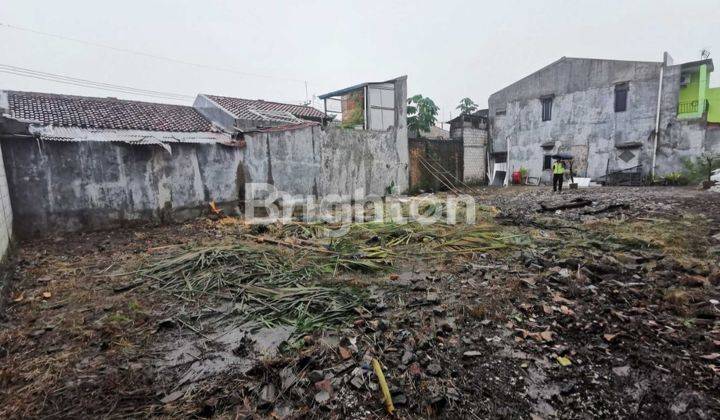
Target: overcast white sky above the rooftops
<point x="448" y="49"/>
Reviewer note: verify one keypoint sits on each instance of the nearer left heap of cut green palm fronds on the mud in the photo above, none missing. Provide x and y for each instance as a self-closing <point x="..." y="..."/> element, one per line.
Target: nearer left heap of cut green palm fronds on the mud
<point x="268" y="286"/>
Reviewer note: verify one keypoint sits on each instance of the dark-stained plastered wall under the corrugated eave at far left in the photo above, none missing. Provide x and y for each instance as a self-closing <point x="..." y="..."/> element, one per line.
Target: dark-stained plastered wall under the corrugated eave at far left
<point x="69" y="186"/>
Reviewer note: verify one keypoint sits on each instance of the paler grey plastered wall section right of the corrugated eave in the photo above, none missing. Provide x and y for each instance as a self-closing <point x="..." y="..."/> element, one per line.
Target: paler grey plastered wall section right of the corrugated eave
<point x="321" y="162"/>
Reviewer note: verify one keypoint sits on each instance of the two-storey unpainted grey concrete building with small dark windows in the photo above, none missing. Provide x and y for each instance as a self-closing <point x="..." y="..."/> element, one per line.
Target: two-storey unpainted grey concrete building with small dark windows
<point x="606" y="114"/>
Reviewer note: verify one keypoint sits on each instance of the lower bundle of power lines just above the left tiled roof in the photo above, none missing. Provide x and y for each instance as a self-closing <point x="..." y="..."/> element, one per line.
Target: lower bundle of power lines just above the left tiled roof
<point x="35" y="74"/>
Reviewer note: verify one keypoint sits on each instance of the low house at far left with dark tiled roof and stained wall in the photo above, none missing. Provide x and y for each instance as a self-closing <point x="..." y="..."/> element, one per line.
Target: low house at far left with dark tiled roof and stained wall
<point x="79" y="162"/>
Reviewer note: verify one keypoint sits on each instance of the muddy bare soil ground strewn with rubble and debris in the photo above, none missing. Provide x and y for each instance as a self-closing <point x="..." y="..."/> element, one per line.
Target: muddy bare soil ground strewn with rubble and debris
<point x="611" y="309"/>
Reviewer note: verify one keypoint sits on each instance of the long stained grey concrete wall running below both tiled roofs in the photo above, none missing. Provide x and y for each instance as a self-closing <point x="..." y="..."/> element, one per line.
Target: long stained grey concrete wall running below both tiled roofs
<point x="68" y="186"/>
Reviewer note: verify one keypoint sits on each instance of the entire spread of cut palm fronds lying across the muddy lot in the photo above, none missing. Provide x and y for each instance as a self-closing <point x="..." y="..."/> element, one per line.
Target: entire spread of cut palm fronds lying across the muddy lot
<point x="277" y="279"/>
